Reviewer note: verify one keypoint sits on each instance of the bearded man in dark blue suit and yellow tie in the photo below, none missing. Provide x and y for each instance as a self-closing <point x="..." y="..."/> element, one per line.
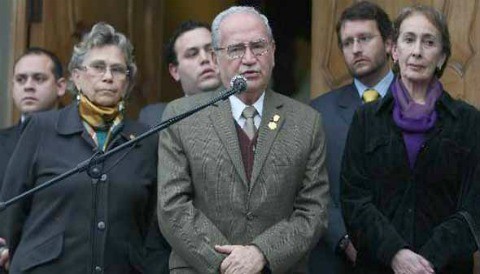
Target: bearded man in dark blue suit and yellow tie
<point x="364" y="37"/>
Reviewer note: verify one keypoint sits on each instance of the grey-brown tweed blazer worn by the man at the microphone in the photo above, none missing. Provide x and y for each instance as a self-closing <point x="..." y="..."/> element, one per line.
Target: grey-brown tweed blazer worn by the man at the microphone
<point x="205" y="199"/>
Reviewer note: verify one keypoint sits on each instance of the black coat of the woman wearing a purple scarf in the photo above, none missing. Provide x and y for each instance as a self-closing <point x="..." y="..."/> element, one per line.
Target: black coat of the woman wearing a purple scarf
<point x="388" y="206"/>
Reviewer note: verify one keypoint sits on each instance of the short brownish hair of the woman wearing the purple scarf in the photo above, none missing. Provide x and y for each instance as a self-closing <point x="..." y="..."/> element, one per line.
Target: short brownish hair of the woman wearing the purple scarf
<point x="437" y="19"/>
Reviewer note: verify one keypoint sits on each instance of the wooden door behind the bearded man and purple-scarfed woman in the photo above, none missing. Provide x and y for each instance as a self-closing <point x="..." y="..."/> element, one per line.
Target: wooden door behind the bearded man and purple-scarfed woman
<point x="461" y="76"/>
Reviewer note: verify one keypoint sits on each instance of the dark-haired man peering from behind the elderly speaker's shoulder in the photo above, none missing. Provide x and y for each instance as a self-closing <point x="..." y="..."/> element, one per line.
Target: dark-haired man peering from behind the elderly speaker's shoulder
<point x="188" y="54"/>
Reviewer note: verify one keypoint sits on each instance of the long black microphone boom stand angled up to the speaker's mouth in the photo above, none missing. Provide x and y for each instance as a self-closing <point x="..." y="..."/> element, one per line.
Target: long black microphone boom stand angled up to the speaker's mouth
<point x="236" y="87"/>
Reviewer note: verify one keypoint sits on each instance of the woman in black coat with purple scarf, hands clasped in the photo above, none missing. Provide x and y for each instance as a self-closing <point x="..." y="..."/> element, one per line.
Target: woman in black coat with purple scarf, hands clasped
<point x="409" y="182"/>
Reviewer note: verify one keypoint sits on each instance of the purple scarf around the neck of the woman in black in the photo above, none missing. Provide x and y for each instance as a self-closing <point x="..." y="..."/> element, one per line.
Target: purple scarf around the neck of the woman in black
<point x="414" y="119"/>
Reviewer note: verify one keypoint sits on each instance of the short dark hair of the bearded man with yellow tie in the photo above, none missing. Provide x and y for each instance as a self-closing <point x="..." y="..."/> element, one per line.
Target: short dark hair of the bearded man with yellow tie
<point x="365" y="10"/>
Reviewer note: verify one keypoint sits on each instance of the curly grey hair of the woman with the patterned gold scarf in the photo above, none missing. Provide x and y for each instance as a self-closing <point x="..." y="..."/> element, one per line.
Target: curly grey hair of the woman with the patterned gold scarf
<point x="103" y="34"/>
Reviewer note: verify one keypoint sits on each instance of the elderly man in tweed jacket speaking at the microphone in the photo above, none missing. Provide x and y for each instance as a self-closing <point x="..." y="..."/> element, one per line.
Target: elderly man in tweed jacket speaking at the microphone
<point x="231" y="198"/>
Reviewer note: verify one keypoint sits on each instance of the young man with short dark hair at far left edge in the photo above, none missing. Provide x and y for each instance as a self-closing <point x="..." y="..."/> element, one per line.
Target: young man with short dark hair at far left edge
<point x="38" y="83"/>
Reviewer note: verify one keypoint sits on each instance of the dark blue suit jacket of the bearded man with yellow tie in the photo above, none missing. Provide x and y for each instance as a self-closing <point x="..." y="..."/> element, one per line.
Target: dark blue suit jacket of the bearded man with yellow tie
<point x="337" y="108"/>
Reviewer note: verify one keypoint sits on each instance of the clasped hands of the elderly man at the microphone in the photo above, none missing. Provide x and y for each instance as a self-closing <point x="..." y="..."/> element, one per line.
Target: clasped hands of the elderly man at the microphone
<point x="241" y="259"/>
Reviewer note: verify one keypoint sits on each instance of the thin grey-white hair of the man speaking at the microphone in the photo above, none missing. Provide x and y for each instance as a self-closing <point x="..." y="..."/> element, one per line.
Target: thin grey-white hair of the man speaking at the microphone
<point x="233" y="10"/>
